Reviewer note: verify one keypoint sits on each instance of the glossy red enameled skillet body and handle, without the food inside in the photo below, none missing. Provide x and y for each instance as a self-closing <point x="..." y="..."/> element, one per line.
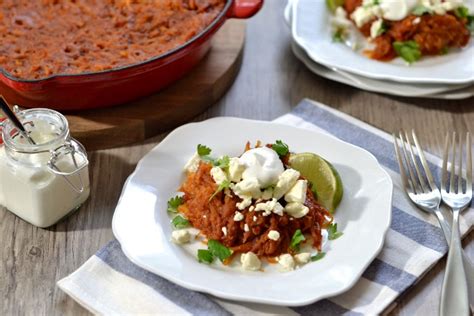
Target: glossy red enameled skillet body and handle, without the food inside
<point x="120" y="85"/>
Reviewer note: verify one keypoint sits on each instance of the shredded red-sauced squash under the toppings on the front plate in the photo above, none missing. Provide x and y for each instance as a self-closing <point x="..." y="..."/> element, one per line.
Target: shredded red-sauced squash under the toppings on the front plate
<point x="210" y="216"/>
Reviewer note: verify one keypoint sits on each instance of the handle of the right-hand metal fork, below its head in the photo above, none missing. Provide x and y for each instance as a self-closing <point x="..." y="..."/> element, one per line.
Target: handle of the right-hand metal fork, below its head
<point x="454" y="295"/>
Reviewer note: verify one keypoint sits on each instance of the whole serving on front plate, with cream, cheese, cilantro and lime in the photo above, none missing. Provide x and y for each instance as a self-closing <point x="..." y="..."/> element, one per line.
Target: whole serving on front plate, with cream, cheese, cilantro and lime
<point x="263" y="205"/>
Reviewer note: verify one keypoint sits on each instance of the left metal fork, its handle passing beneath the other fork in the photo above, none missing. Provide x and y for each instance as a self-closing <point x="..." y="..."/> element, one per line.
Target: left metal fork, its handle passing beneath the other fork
<point x="424" y="193"/>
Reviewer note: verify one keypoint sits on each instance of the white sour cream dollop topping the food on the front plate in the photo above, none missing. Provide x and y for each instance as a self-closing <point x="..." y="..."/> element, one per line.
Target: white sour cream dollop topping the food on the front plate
<point x="263" y="164"/>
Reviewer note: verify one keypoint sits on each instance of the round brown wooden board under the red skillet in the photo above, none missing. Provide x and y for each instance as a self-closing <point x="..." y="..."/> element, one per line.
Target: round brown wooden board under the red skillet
<point x="201" y="88"/>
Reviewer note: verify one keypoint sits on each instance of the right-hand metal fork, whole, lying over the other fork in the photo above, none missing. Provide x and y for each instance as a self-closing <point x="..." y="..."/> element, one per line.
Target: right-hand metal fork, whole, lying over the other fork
<point x="454" y="294"/>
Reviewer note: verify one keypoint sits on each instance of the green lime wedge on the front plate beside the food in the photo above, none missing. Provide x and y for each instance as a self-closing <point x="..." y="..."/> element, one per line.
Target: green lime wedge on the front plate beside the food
<point x="323" y="176"/>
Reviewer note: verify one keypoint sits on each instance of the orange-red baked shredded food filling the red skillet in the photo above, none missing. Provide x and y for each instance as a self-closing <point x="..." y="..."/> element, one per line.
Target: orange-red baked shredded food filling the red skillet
<point x="44" y="38"/>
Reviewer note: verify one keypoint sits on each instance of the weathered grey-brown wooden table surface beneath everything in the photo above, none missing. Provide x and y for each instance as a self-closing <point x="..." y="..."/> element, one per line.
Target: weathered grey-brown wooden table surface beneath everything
<point x="270" y="83"/>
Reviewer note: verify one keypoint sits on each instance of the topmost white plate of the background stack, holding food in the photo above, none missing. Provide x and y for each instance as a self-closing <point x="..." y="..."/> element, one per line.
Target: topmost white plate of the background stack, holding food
<point x="311" y="30"/>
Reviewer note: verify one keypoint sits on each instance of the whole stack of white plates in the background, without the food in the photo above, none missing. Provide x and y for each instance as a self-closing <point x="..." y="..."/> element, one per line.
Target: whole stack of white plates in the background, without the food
<point x="442" y="77"/>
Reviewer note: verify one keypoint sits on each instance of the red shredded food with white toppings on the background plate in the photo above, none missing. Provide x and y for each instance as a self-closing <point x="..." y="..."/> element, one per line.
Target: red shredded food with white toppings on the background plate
<point x="409" y="29"/>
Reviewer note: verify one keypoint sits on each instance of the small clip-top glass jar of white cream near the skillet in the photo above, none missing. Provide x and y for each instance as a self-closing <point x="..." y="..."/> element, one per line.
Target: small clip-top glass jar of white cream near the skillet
<point x="42" y="183"/>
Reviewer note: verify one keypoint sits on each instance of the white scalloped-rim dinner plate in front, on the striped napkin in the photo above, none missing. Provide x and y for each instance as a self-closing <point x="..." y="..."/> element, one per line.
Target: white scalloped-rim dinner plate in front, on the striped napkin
<point x="142" y="225"/>
